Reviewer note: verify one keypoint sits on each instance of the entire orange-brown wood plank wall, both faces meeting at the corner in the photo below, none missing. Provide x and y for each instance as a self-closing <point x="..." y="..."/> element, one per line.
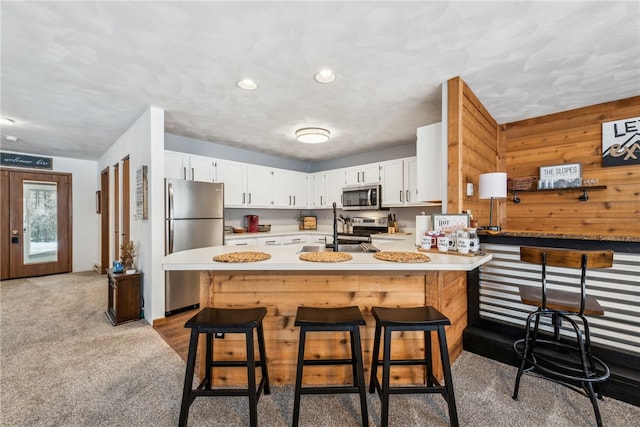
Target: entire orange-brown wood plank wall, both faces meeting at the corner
<point x="476" y="145"/>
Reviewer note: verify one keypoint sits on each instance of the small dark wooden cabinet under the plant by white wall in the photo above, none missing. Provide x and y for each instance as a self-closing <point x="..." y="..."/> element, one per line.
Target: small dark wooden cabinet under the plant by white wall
<point x="125" y="297"/>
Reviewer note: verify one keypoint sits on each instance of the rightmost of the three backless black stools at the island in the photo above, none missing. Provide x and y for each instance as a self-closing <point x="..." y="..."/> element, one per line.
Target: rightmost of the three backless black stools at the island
<point x="425" y="319"/>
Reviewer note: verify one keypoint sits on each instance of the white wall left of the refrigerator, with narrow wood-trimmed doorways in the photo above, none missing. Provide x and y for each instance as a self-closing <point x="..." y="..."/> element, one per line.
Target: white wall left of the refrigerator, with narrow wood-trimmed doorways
<point x="143" y="143"/>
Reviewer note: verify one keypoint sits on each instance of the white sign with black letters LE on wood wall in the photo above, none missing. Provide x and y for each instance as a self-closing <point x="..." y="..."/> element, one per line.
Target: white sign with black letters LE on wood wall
<point x="621" y="142"/>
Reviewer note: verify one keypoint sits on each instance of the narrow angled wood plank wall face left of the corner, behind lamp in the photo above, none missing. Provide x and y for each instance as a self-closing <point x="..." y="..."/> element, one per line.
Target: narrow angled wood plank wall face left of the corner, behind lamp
<point x="472" y="150"/>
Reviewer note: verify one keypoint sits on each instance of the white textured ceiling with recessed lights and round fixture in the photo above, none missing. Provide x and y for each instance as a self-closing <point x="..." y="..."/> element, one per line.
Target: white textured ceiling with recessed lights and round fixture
<point x="76" y="75"/>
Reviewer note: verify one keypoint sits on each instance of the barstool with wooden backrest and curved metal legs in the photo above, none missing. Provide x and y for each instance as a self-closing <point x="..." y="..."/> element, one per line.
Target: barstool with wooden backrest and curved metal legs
<point x="568" y="359"/>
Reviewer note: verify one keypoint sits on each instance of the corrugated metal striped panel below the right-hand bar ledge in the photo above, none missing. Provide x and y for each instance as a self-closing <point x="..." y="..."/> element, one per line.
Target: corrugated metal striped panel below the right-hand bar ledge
<point x="617" y="289"/>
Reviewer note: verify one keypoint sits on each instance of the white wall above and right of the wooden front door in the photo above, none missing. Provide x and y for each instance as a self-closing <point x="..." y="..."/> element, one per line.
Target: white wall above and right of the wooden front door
<point x="86" y="222"/>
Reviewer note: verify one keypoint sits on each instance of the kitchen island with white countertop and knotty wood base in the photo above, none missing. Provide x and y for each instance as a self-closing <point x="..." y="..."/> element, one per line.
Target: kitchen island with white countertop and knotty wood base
<point x="284" y="282"/>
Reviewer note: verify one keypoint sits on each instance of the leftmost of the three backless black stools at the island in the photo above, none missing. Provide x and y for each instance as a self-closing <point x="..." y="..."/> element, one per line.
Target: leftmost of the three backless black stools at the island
<point x="210" y="321"/>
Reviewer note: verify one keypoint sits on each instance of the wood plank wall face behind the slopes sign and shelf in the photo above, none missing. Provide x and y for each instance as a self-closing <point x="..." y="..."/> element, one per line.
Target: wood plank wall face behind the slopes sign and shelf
<point x="573" y="136"/>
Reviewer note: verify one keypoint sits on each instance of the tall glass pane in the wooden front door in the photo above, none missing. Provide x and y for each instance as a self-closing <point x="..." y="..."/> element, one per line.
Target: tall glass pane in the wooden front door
<point x="40" y="221"/>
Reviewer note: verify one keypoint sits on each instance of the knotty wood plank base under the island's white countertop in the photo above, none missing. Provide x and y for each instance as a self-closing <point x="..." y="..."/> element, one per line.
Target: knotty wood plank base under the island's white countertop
<point x="281" y="292"/>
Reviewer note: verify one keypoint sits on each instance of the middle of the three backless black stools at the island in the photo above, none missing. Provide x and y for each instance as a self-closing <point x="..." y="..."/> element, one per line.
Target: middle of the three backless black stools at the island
<point x="349" y="319"/>
